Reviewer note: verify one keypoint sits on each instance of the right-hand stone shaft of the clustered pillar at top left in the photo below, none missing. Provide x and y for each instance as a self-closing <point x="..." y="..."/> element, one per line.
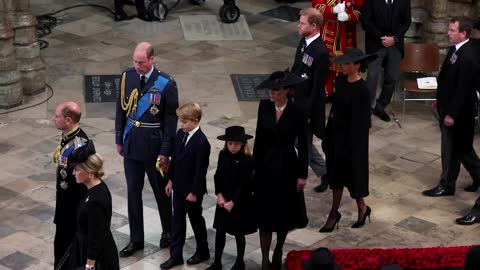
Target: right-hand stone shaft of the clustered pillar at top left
<point x="32" y="69"/>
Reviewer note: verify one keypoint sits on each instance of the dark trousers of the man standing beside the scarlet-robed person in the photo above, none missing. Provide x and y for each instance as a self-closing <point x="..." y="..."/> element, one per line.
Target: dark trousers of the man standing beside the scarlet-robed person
<point x="388" y="58"/>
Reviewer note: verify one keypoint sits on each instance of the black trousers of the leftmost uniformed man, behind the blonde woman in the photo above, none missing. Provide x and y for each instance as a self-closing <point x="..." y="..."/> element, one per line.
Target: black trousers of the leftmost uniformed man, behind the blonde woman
<point x="64" y="234"/>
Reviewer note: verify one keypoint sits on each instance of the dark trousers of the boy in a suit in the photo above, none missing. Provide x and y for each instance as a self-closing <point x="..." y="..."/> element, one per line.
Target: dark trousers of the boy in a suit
<point x="181" y="208"/>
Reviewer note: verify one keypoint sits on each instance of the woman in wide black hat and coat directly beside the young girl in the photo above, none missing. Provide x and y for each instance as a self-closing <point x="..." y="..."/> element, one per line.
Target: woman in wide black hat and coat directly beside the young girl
<point x="280" y="170"/>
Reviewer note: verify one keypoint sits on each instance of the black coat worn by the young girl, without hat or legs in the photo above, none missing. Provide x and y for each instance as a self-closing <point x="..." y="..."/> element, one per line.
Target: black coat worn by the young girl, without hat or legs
<point x="233" y="179"/>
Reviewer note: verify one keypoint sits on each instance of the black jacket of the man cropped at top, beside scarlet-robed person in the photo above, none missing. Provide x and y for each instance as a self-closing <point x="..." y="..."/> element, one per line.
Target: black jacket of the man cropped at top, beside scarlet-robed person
<point x="375" y="21"/>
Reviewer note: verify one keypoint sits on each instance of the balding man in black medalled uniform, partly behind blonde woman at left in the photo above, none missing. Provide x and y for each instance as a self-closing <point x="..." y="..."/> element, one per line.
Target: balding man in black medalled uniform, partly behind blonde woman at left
<point x="69" y="193"/>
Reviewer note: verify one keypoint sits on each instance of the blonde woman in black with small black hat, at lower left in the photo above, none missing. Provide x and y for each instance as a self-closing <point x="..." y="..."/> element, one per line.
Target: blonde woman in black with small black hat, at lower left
<point x="93" y="246"/>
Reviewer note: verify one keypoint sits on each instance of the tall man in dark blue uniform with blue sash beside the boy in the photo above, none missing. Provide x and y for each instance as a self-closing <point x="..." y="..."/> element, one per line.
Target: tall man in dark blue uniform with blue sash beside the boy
<point x="145" y="127"/>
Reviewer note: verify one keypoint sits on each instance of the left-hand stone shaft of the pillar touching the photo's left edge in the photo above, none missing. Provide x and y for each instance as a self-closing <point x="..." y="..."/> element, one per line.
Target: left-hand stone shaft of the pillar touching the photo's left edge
<point x="10" y="85"/>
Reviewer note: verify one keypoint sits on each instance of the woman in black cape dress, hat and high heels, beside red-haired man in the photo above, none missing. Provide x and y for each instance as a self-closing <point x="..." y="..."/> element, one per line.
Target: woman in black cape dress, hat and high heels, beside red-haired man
<point x="347" y="137"/>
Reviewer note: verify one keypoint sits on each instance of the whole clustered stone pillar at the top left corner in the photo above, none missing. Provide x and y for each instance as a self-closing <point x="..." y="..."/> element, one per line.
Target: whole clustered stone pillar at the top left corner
<point x="22" y="72"/>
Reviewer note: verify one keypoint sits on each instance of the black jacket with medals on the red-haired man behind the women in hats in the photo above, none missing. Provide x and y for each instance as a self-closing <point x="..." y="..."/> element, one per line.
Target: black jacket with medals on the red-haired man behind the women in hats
<point x="310" y="94"/>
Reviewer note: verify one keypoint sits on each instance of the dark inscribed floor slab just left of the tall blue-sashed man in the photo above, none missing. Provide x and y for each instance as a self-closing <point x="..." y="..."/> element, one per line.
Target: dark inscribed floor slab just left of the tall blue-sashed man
<point x="102" y="88"/>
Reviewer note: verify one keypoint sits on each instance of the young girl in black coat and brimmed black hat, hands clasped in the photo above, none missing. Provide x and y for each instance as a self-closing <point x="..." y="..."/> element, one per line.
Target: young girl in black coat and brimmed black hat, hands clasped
<point x="234" y="195"/>
